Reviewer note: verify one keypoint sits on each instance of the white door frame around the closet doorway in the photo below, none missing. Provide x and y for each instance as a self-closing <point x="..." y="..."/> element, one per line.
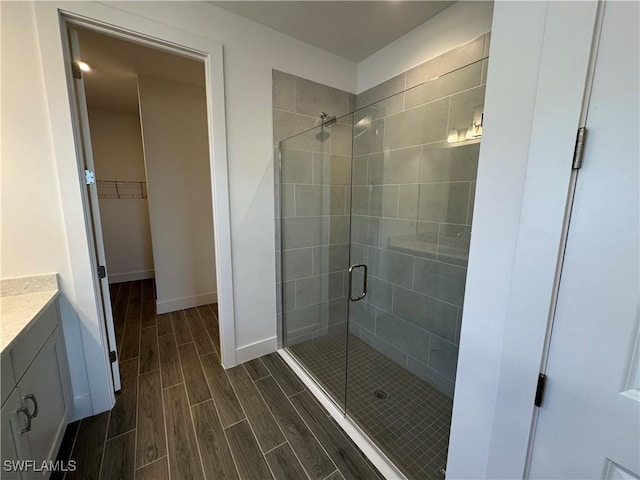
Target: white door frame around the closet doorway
<point x="51" y="18"/>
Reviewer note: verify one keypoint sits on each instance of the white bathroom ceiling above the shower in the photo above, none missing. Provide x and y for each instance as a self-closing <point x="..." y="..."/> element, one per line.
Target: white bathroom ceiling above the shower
<point x="353" y="30"/>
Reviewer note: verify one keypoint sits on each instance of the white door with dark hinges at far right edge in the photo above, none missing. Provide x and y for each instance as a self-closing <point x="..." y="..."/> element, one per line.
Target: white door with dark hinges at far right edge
<point x="589" y="424"/>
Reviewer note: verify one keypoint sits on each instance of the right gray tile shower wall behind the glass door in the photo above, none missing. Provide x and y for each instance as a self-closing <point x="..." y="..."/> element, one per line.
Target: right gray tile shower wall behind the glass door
<point x="412" y="209"/>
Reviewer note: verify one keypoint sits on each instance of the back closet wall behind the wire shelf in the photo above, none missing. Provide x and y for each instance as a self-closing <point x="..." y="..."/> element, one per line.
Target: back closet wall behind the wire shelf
<point x="116" y="141"/>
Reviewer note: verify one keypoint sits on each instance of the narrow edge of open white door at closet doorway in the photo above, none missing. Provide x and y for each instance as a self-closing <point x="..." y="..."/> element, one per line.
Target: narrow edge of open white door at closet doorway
<point x="84" y="135"/>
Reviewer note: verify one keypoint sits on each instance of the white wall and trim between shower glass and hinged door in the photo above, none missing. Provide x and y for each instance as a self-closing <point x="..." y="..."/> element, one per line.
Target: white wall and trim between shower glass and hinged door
<point x="535" y="87"/>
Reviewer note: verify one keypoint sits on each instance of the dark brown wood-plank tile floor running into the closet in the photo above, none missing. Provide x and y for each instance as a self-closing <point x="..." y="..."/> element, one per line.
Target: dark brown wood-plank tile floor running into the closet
<point x="181" y="416"/>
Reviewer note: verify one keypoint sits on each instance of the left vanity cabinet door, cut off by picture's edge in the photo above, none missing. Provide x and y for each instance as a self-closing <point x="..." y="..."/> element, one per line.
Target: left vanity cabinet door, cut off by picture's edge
<point x="14" y="443"/>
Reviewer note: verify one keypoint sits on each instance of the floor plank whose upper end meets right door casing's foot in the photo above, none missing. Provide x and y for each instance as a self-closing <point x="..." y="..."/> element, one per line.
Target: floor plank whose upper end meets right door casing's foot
<point x="262" y="422"/>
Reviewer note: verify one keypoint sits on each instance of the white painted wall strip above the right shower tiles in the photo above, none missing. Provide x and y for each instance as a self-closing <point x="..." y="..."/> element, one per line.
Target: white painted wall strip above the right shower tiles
<point x="456" y="25"/>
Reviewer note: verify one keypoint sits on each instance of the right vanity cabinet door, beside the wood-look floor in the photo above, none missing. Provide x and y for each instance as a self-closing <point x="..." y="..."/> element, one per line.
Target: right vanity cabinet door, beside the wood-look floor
<point x="42" y="392"/>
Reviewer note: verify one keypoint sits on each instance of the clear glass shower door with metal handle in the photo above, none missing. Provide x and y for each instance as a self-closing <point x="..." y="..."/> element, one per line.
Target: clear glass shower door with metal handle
<point x="414" y="170"/>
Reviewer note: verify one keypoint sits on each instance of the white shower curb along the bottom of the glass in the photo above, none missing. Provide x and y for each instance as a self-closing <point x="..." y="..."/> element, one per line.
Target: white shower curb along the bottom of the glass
<point x="368" y="447"/>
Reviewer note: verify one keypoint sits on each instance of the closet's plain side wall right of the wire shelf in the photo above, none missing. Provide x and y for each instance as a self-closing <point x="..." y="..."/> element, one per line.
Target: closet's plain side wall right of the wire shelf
<point x="176" y="153"/>
